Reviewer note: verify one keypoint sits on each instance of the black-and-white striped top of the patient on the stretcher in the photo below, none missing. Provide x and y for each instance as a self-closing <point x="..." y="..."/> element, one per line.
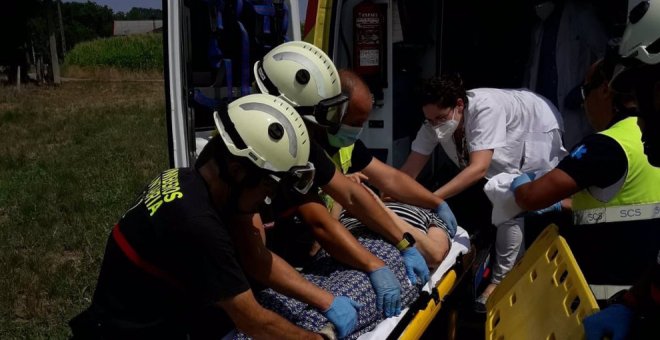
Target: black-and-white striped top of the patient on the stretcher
<point x="419" y="218"/>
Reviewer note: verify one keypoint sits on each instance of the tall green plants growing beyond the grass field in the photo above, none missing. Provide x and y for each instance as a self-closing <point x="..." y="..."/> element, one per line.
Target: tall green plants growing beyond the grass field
<point x="137" y="52"/>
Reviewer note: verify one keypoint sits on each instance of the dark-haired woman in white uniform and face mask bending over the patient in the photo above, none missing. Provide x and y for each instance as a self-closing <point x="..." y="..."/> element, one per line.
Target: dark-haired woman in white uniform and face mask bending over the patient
<point x="487" y="132"/>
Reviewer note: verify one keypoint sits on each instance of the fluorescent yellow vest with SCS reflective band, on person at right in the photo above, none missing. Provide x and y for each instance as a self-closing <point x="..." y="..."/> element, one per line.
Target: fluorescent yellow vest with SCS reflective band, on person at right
<point x="639" y="196"/>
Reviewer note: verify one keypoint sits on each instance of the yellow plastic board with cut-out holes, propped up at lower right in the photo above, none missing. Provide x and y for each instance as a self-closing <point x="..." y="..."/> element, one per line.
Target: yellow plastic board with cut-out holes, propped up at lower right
<point x="544" y="296"/>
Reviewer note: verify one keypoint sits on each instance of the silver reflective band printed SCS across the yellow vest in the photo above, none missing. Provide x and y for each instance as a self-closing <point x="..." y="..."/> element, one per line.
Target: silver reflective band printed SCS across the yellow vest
<point x="621" y="213"/>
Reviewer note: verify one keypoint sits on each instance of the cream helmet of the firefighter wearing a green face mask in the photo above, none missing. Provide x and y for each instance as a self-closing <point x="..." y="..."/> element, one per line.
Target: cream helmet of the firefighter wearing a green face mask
<point x="303" y="75"/>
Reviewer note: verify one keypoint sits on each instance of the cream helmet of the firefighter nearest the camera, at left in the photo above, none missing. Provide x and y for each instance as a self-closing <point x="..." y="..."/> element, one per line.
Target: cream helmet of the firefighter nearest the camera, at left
<point x="270" y="133"/>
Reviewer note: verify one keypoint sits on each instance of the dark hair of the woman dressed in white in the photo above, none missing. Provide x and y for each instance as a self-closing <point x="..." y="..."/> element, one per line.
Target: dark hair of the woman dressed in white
<point x="443" y="91"/>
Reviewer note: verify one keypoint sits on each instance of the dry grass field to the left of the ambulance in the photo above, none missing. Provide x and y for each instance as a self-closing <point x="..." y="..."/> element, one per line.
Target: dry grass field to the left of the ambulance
<point x="72" y="158"/>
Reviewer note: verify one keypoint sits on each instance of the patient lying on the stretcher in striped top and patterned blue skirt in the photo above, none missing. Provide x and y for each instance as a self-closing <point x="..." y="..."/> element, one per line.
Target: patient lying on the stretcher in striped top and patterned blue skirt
<point x="432" y="240"/>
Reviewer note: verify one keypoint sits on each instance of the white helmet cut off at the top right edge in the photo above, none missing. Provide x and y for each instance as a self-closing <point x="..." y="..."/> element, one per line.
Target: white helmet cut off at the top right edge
<point x="640" y="43"/>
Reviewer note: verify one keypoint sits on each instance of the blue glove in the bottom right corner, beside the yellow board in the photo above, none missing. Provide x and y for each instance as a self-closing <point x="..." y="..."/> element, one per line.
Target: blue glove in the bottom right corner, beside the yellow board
<point x="614" y="321"/>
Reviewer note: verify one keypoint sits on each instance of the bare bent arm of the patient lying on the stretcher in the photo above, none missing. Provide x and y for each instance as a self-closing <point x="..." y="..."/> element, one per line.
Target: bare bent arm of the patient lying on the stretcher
<point x="433" y="246"/>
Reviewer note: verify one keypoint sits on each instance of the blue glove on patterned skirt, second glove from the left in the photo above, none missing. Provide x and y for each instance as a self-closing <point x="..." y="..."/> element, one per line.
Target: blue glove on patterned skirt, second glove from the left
<point x="388" y="291"/>
